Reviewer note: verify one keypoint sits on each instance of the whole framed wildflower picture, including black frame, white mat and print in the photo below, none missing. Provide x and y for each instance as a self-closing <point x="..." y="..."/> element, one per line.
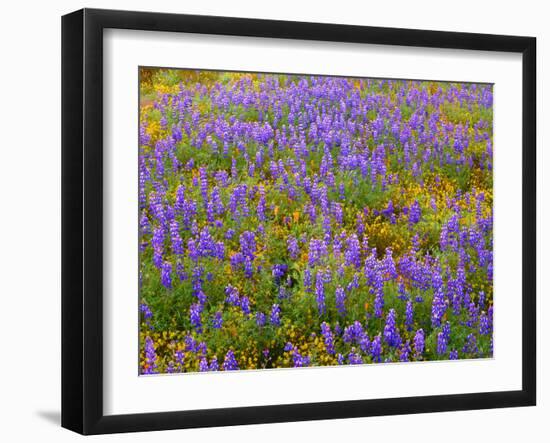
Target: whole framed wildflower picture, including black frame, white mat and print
<point x="270" y="221"/>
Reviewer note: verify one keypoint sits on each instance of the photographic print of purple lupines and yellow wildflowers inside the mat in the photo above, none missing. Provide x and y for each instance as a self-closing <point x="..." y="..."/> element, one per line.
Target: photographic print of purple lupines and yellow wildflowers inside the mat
<point x="291" y="221"/>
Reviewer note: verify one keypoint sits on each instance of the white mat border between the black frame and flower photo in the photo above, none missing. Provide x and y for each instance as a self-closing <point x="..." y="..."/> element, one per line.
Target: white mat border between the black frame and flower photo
<point x="127" y="393"/>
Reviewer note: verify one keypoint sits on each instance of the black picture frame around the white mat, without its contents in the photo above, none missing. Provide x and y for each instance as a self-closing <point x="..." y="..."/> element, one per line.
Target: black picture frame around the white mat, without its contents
<point x="82" y="215"/>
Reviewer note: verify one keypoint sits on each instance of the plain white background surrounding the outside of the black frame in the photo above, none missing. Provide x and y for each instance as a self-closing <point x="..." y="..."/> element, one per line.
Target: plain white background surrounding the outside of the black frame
<point x="30" y="220"/>
